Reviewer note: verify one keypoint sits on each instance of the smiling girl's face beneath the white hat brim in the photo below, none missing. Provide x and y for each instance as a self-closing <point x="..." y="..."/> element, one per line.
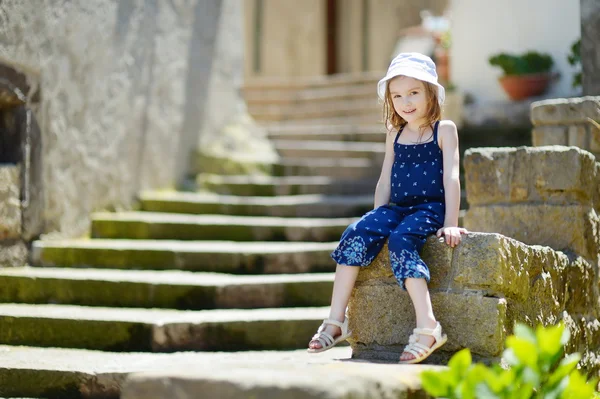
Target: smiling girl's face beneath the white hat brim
<point x="409" y="98"/>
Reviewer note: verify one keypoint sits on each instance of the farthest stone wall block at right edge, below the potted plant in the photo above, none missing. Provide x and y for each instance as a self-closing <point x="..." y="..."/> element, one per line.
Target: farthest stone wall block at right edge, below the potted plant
<point x="567" y="121"/>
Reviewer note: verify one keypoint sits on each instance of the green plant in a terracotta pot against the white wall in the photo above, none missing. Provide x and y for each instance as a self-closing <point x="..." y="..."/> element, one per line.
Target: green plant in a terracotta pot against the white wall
<point x="525" y="75"/>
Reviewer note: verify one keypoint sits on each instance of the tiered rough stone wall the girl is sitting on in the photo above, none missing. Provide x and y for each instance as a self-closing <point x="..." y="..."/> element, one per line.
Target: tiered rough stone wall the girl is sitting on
<point x="519" y="198"/>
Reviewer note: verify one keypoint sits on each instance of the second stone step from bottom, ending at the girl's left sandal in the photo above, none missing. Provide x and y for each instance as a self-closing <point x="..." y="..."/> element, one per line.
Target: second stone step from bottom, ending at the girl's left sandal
<point x="158" y="330"/>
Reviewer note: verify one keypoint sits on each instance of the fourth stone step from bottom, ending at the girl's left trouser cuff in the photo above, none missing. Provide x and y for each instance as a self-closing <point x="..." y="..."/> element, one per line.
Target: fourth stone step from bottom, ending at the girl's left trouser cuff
<point x="208" y="256"/>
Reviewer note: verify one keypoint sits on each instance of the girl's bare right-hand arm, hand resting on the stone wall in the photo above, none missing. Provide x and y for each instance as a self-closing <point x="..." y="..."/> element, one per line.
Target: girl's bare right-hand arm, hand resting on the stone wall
<point x="448" y="137"/>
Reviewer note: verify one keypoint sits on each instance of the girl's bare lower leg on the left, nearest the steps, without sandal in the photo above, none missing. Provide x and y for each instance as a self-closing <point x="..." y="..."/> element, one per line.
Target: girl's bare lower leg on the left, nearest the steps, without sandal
<point x="345" y="277"/>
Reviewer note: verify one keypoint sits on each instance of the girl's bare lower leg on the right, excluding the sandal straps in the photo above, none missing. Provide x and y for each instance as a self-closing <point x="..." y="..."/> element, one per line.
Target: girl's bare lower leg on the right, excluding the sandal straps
<point x="419" y="294"/>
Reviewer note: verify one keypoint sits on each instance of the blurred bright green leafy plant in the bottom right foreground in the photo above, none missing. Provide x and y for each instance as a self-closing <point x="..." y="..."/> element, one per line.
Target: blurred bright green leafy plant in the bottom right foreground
<point x="537" y="370"/>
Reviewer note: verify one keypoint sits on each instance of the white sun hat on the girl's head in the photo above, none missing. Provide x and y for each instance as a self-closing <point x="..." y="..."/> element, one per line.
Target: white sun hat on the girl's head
<point x="414" y="65"/>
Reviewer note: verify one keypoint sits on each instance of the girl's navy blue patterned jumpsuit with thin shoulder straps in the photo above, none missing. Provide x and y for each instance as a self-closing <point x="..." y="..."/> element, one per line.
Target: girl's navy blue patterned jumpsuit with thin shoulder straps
<point x="416" y="210"/>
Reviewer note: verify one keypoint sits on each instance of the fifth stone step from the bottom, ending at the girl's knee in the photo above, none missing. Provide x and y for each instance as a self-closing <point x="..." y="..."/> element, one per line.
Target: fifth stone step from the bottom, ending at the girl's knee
<point x="174" y="226"/>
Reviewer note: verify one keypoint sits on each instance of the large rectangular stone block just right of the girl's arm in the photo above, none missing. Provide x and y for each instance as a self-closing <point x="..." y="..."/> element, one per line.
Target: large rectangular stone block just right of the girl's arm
<point x="552" y="174"/>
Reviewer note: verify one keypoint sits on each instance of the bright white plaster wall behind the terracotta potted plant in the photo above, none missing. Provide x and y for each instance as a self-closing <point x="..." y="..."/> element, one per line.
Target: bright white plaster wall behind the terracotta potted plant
<point x="481" y="28"/>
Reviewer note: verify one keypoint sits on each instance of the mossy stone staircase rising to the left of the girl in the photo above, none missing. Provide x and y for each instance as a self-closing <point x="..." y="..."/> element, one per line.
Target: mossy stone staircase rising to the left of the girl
<point x="241" y="264"/>
